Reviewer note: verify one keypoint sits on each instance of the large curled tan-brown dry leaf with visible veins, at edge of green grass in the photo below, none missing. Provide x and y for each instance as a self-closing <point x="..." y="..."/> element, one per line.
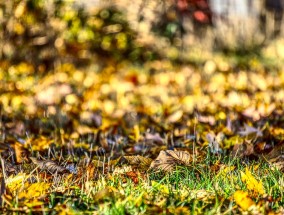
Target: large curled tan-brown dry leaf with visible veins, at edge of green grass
<point x="167" y="160"/>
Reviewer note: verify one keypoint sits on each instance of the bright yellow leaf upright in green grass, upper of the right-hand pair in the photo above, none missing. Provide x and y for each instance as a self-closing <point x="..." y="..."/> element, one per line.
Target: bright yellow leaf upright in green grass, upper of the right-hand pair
<point x="252" y="184"/>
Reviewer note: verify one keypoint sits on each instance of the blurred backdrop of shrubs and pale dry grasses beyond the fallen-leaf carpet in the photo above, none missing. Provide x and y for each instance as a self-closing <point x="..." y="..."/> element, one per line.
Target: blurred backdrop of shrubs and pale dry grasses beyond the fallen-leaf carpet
<point x="47" y="32"/>
